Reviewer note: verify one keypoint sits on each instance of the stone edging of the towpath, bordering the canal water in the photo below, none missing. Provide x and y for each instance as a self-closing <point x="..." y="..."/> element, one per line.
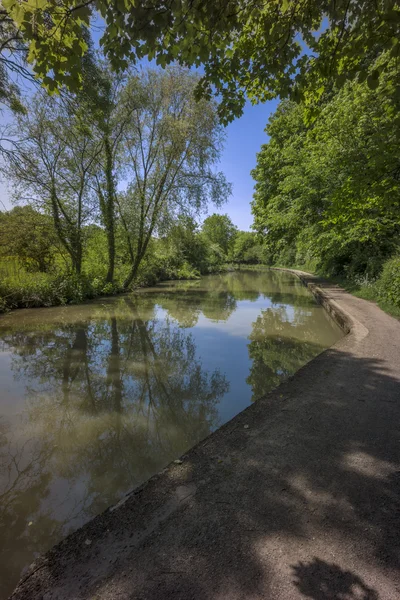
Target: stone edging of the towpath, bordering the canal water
<point x="162" y="486"/>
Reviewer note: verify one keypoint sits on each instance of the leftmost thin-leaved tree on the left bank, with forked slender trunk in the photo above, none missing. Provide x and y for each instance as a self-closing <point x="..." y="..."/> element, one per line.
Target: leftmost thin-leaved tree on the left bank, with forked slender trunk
<point x="51" y="165"/>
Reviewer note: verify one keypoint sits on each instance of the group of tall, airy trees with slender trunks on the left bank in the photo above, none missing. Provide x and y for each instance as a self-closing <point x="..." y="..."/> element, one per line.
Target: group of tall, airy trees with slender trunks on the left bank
<point x="68" y="158"/>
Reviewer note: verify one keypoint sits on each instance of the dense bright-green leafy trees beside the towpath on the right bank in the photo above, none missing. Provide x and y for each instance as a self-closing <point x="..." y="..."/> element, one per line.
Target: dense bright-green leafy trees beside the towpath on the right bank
<point x="328" y="194"/>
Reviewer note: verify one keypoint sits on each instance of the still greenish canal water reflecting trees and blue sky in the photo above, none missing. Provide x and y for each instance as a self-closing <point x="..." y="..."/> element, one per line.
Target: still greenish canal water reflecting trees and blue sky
<point x="96" y="398"/>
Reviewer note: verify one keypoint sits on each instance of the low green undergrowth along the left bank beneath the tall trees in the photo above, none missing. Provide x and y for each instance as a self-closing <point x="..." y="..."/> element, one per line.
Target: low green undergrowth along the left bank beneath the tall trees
<point x="23" y="287"/>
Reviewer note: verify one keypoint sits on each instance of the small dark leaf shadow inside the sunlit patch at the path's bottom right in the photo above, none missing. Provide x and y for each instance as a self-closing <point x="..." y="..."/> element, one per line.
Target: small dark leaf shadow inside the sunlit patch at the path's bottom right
<point x="320" y="580"/>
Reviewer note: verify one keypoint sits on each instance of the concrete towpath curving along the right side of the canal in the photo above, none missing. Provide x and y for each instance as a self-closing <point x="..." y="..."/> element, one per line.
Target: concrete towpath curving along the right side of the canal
<point x="297" y="497"/>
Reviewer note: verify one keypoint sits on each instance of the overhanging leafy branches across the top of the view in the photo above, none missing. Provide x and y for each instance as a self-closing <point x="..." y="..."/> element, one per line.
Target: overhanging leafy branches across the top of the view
<point x="248" y="48"/>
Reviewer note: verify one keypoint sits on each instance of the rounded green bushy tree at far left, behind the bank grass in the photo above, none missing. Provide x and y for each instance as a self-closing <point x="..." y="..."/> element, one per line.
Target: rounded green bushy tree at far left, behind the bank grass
<point x="28" y="235"/>
